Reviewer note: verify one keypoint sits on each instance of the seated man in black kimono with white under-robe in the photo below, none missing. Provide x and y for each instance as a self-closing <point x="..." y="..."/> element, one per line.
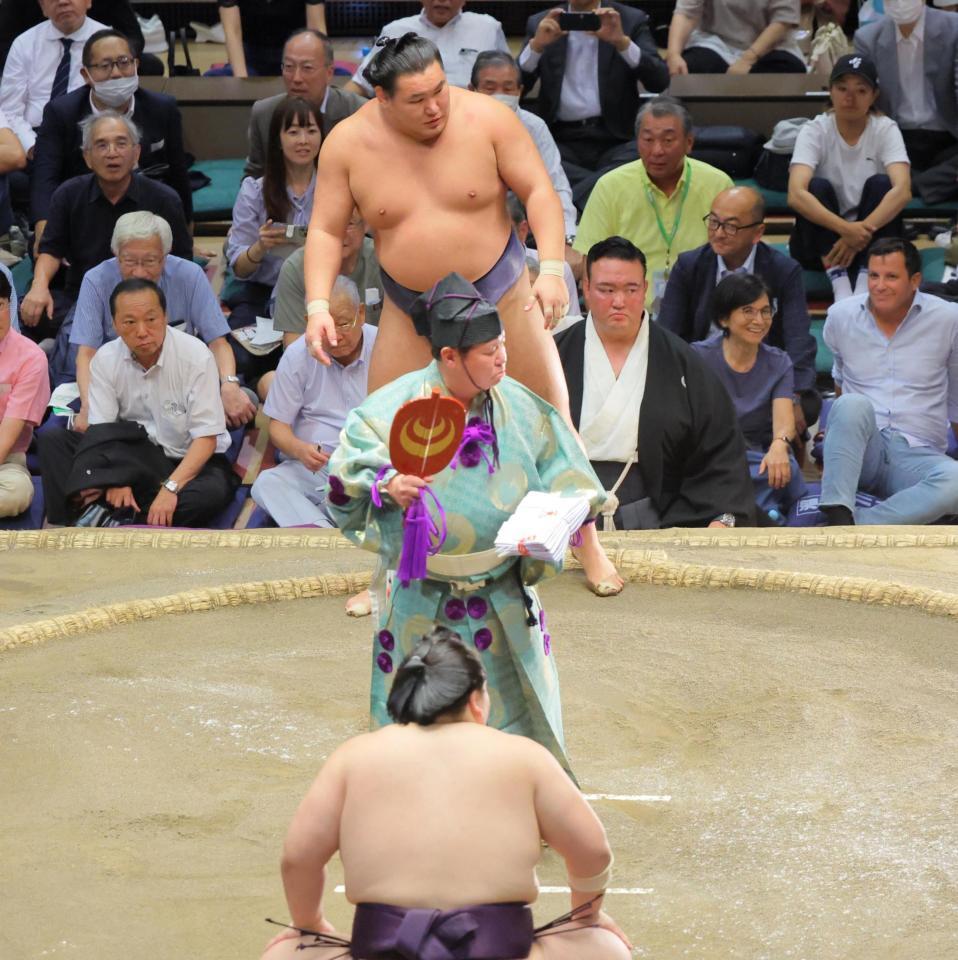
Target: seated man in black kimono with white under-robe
<point x="658" y="426"/>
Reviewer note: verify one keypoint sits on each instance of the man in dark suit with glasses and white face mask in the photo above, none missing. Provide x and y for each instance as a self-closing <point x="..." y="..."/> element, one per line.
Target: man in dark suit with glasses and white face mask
<point x="111" y="83"/>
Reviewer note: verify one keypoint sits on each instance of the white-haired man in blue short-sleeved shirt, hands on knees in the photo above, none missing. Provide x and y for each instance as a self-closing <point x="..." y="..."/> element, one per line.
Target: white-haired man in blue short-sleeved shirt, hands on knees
<point x="141" y="245"/>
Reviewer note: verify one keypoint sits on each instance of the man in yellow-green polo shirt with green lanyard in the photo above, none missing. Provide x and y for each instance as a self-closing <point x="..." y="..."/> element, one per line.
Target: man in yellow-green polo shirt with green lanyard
<point x="659" y="201"/>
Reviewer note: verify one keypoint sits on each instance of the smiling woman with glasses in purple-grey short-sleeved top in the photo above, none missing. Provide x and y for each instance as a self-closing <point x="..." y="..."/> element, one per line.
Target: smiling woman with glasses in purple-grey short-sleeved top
<point x="760" y="381"/>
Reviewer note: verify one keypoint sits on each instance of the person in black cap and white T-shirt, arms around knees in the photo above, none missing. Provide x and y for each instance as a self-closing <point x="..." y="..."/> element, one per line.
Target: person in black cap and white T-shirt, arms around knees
<point x="849" y="178"/>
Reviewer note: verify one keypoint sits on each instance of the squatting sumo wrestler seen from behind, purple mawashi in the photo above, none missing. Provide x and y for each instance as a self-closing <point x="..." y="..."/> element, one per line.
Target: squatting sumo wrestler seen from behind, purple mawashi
<point x="439" y="822"/>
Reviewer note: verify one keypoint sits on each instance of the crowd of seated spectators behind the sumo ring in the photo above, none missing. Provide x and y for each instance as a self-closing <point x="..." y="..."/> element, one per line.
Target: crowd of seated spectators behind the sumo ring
<point x="690" y="368"/>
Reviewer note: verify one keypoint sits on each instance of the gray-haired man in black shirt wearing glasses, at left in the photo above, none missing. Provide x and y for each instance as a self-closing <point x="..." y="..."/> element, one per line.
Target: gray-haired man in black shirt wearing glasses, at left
<point x="83" y="213"/>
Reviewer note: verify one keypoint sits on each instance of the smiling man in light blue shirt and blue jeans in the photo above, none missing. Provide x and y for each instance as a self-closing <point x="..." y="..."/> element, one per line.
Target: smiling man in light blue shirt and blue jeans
<point x="896" y="367"/>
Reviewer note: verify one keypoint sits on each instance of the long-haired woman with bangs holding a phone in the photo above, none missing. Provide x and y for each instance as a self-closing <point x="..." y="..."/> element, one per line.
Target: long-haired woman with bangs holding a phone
<point x="264" y="208"/>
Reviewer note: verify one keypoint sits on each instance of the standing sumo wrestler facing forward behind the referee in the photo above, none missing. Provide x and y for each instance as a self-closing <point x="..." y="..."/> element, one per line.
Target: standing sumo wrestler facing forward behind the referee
<point x="429" y="166"/>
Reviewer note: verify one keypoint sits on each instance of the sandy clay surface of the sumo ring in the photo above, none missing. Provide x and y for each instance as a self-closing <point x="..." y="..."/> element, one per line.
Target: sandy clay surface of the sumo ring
<point x="793" y="759"/>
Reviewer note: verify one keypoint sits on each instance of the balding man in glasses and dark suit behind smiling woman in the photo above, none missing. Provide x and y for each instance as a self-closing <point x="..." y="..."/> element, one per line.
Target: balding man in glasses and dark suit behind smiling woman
<point x="735" y="224"/>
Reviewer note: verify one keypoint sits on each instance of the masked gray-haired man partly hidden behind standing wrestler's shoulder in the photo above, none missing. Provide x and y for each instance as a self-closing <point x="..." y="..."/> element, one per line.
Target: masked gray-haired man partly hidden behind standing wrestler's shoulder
<point x="496" y="74"/>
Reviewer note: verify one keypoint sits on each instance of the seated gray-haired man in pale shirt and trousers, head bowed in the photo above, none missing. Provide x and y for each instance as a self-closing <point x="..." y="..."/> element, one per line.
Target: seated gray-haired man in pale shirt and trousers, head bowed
<point x="307" y="405"/>
